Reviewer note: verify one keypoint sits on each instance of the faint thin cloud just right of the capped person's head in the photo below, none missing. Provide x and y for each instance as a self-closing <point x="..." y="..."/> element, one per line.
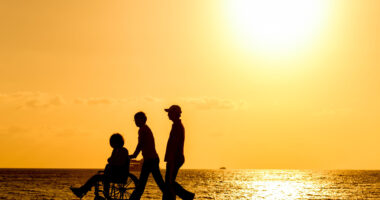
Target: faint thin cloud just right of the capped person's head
<point x="207" y="103"/>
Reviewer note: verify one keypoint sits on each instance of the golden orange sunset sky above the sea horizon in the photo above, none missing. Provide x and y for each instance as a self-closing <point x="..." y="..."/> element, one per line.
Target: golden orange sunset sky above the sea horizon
<point x="262" y="84"/>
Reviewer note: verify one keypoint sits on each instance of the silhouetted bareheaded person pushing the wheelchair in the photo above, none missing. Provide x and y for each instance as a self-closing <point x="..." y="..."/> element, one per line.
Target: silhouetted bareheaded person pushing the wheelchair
<point x="151" y="159"/>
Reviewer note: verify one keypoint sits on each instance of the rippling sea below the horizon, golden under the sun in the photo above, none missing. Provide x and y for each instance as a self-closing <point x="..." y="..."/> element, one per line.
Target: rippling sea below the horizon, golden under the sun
<point x="207" y="184"/>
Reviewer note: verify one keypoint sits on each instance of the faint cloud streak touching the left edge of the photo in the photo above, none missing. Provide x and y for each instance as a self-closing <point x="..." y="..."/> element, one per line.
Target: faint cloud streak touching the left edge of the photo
<point x="33" y="99"/>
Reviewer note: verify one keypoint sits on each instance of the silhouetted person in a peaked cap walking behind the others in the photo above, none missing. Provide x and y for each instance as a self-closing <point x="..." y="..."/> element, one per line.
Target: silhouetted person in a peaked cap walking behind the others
<point x="174" y="155"/>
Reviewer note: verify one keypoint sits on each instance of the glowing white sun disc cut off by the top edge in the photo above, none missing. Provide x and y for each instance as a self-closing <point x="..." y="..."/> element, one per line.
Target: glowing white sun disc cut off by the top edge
<point x="276" y="26"/>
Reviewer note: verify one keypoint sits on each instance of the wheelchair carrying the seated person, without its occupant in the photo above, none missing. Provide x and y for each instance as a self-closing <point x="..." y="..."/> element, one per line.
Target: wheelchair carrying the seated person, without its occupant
<point x="118" y="190"/>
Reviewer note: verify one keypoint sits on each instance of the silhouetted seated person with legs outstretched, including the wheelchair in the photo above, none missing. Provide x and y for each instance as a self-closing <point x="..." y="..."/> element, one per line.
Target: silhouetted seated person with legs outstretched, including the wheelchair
<point x="115" y="182"/>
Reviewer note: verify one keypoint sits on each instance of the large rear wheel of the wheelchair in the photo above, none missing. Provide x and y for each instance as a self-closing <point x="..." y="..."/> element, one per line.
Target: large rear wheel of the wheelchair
<point x="123" y="191"/>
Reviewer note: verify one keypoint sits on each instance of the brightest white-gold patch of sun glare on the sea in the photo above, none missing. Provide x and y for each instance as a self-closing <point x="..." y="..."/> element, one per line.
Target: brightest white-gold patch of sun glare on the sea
<point x="273" y="184"/>
